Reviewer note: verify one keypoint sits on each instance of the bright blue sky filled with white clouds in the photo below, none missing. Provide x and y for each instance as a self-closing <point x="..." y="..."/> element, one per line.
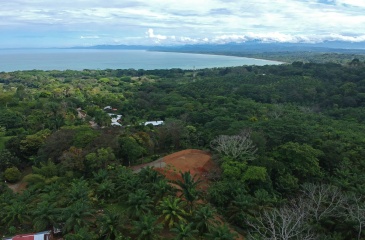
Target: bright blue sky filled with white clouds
<point x="68" y="23"/>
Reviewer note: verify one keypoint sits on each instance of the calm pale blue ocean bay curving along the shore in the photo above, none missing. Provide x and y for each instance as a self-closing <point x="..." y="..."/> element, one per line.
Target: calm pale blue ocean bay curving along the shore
<point x="79" y="59"/>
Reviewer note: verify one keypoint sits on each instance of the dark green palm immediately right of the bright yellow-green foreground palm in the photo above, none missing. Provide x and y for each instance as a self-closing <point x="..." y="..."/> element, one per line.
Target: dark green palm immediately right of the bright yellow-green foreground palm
<point x="204" y="219"/>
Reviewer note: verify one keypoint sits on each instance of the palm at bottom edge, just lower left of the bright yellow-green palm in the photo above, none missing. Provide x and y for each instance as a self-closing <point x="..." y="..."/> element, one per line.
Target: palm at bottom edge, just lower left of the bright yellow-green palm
<point x="146" y="228"/>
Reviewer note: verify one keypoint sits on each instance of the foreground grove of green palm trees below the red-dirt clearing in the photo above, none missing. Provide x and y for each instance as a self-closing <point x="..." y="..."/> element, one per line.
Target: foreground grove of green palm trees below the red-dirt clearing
<point x="113" y="203"/>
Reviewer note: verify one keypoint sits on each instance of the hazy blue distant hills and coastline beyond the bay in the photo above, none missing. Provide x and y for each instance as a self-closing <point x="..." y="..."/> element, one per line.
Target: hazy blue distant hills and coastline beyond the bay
<point x="330" y="51"/>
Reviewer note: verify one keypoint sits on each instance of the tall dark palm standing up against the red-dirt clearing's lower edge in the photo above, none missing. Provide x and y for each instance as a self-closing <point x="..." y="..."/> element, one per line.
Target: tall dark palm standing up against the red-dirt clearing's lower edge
<point x="188" y="187"/>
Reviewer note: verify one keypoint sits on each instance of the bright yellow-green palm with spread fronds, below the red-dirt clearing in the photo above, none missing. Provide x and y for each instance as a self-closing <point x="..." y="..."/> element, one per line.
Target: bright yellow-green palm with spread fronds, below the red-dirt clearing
<point x="172" y="211"/>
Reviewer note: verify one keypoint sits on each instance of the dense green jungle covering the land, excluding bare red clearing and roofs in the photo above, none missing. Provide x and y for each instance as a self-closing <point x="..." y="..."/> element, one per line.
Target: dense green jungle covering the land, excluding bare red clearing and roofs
<point x="289" y="141"/>
